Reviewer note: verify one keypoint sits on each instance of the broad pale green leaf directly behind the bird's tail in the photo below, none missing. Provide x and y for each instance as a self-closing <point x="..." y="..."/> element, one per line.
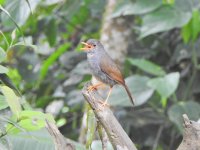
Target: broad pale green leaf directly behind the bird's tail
<point x="139" y="89"/>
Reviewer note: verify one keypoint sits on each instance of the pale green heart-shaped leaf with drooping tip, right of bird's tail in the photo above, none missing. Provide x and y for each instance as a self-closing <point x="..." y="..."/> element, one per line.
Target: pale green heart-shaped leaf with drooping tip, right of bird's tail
<point x="166" y="85"/>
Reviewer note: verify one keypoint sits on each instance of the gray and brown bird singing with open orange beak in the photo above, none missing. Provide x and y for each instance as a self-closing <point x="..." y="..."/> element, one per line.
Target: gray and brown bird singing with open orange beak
<point x="103" y="68"/>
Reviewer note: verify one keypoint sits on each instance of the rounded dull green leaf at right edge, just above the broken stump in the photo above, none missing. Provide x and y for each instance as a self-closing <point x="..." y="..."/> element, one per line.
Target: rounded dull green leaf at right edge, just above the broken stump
<point x="175" y="112"/>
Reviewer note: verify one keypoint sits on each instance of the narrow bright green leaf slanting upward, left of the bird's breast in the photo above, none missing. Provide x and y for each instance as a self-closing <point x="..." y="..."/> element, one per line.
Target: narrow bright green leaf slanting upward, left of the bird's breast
<point x="51" y="59"/>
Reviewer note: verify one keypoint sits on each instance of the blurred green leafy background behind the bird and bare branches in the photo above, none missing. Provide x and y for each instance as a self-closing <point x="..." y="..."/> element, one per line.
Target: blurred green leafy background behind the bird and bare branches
<point x="155" y="43"/>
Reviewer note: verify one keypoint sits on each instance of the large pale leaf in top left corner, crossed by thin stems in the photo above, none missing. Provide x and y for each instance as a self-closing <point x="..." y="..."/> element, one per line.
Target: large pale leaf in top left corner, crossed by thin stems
<point x="19" y="11"/>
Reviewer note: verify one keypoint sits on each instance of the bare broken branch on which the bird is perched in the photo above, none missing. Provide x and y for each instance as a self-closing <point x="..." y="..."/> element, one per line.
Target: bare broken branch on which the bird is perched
<point x="118" y="137"/>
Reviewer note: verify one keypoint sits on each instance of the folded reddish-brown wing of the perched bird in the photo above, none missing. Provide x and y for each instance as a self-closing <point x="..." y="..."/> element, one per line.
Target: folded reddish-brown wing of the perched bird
<point x="108" y="66"/>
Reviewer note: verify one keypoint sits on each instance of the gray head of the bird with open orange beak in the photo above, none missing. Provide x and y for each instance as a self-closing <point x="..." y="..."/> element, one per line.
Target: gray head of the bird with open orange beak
<point x="92" y="46"/>
